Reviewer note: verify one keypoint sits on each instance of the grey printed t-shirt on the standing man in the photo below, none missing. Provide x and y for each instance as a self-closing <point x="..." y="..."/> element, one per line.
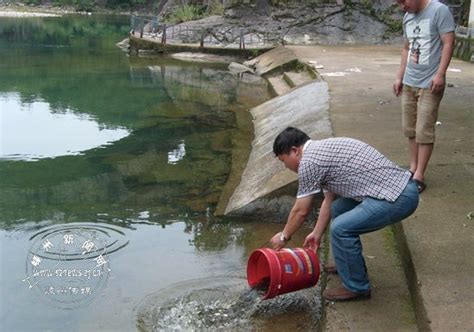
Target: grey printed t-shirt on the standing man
<point x="423" y="30"/>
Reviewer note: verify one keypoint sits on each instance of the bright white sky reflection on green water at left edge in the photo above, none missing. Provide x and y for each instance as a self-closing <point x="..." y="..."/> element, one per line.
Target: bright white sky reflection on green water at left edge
<point x="30" y="131"/>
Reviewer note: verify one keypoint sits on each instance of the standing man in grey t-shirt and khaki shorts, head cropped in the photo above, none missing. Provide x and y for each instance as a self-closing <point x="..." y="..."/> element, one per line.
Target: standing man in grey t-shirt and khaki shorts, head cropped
<point x="428" y="30"/>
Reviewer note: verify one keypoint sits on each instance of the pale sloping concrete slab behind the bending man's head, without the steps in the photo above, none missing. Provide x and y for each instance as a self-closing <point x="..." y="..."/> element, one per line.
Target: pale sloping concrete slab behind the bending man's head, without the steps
<point x="306" y="108"/>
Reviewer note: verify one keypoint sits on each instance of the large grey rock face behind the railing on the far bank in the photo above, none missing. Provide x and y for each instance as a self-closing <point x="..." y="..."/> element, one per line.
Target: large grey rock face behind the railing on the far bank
<point x="300" y="22"/>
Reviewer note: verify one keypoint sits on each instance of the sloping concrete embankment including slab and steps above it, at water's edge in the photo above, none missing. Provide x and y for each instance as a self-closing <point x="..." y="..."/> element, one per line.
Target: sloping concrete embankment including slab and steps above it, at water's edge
<point x="303" y="103"/>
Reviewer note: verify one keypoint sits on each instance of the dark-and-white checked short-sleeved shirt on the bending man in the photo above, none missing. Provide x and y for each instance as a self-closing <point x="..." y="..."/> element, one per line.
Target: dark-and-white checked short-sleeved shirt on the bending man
<point x="349" y="168"/>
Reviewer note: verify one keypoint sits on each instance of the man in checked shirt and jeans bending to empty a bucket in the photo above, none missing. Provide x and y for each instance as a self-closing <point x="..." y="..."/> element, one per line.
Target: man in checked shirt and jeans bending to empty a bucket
<point x="363" y="192"/>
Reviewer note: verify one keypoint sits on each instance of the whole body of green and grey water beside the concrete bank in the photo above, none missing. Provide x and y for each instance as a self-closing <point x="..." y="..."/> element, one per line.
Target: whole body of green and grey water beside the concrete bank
<point x="110" y="171"/>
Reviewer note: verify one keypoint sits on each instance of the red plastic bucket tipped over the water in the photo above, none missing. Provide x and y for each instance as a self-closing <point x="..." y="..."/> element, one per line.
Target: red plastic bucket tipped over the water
<point x="283" y="271"/>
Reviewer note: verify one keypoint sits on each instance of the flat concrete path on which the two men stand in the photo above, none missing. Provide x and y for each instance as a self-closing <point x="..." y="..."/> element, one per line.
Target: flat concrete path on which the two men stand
<point x="437" y="242"/>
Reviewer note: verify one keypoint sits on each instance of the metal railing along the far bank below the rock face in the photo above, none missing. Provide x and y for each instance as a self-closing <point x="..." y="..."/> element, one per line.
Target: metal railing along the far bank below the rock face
<point x="149" y="27"/>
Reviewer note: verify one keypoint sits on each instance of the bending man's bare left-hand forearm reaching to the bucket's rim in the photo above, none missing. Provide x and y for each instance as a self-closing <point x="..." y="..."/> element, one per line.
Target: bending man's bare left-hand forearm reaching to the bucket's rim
<point x="296" y="218"/>
